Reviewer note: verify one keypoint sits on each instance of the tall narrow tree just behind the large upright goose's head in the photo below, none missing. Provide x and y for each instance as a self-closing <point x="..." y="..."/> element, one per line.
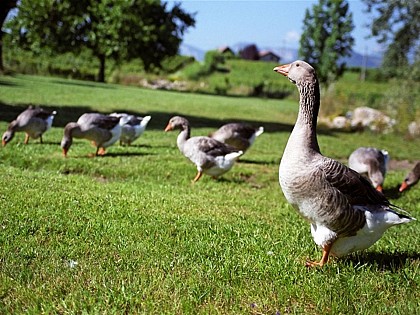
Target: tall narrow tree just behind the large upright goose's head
<point x="327" y="37"/>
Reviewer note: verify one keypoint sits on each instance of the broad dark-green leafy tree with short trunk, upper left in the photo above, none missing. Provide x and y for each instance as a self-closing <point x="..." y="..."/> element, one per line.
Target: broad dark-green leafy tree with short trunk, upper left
<point x="118" y="29"/>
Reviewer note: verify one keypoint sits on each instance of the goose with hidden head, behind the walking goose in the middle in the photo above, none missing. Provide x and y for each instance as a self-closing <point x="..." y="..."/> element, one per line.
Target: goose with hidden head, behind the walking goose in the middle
<point x="238" y="135"/>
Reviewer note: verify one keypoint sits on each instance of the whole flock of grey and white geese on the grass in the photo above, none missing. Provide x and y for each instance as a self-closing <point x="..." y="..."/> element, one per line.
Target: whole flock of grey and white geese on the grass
<point x="344" y="205"/>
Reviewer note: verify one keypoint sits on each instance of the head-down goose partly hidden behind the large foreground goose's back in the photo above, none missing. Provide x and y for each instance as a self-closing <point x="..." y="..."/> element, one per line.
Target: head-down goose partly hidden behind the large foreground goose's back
<point x="370" y="161"/>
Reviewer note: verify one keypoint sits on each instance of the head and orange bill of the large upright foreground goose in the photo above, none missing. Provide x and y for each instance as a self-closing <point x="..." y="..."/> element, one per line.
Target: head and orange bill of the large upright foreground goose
<point x="297" y="72"/>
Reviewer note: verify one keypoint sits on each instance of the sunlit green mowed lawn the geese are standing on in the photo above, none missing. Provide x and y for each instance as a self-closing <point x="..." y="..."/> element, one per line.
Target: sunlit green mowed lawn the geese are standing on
<point x="129" y="233"/>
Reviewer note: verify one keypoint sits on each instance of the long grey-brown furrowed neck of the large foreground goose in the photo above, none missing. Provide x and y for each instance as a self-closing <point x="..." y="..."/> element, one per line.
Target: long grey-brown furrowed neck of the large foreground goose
<point x="308" y="113"/>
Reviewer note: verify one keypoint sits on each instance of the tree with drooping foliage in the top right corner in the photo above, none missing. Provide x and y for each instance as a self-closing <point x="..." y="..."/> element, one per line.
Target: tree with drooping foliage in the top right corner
<point x="397" y="25"/>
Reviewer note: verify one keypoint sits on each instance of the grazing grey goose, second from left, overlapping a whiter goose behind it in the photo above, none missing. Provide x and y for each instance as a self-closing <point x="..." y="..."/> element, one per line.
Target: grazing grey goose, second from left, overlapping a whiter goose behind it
<point x="102" y="130"/>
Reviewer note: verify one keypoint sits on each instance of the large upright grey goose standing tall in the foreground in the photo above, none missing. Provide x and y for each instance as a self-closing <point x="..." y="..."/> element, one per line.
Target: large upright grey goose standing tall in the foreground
<point x="346" y="212"/>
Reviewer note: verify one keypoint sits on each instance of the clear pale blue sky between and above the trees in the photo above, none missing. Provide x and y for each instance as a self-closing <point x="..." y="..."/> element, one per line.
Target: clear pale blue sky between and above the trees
<point x="264" y="23"/>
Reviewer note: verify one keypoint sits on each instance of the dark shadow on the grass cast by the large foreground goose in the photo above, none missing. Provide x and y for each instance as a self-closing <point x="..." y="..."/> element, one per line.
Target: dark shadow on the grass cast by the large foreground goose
<point x="385" y="261"/>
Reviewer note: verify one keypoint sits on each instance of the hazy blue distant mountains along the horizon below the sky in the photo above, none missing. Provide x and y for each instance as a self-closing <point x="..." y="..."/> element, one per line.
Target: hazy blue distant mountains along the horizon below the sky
<point x="287" y="55"/>
